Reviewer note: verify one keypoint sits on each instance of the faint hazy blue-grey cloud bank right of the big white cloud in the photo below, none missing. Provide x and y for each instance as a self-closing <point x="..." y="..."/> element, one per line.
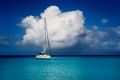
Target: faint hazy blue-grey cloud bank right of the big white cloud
<point x="96" y="38"/>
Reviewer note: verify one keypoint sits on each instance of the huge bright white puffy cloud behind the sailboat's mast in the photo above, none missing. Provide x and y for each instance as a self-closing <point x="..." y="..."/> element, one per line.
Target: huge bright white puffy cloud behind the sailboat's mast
<point x="64" y="28"/>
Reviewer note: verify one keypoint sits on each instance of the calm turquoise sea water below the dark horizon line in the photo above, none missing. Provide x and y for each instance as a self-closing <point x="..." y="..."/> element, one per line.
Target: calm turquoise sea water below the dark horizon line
<point x="60" y="68"/>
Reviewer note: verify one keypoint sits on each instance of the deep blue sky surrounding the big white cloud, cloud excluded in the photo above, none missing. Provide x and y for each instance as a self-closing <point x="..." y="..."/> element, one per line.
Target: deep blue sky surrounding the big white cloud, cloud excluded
<point x="100" y="16"/>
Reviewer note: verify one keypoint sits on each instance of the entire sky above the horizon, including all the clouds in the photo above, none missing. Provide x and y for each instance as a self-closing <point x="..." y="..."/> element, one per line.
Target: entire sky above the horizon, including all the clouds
<point x="76" y="27"/>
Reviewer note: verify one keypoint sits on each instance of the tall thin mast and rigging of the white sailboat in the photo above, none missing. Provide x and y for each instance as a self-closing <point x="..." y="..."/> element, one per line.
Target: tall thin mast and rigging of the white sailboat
<point x="47" y="43"/>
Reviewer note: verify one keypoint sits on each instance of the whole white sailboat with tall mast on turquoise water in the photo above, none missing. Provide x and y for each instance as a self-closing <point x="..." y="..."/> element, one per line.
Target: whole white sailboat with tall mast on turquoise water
<point x="46" y="53"/>
